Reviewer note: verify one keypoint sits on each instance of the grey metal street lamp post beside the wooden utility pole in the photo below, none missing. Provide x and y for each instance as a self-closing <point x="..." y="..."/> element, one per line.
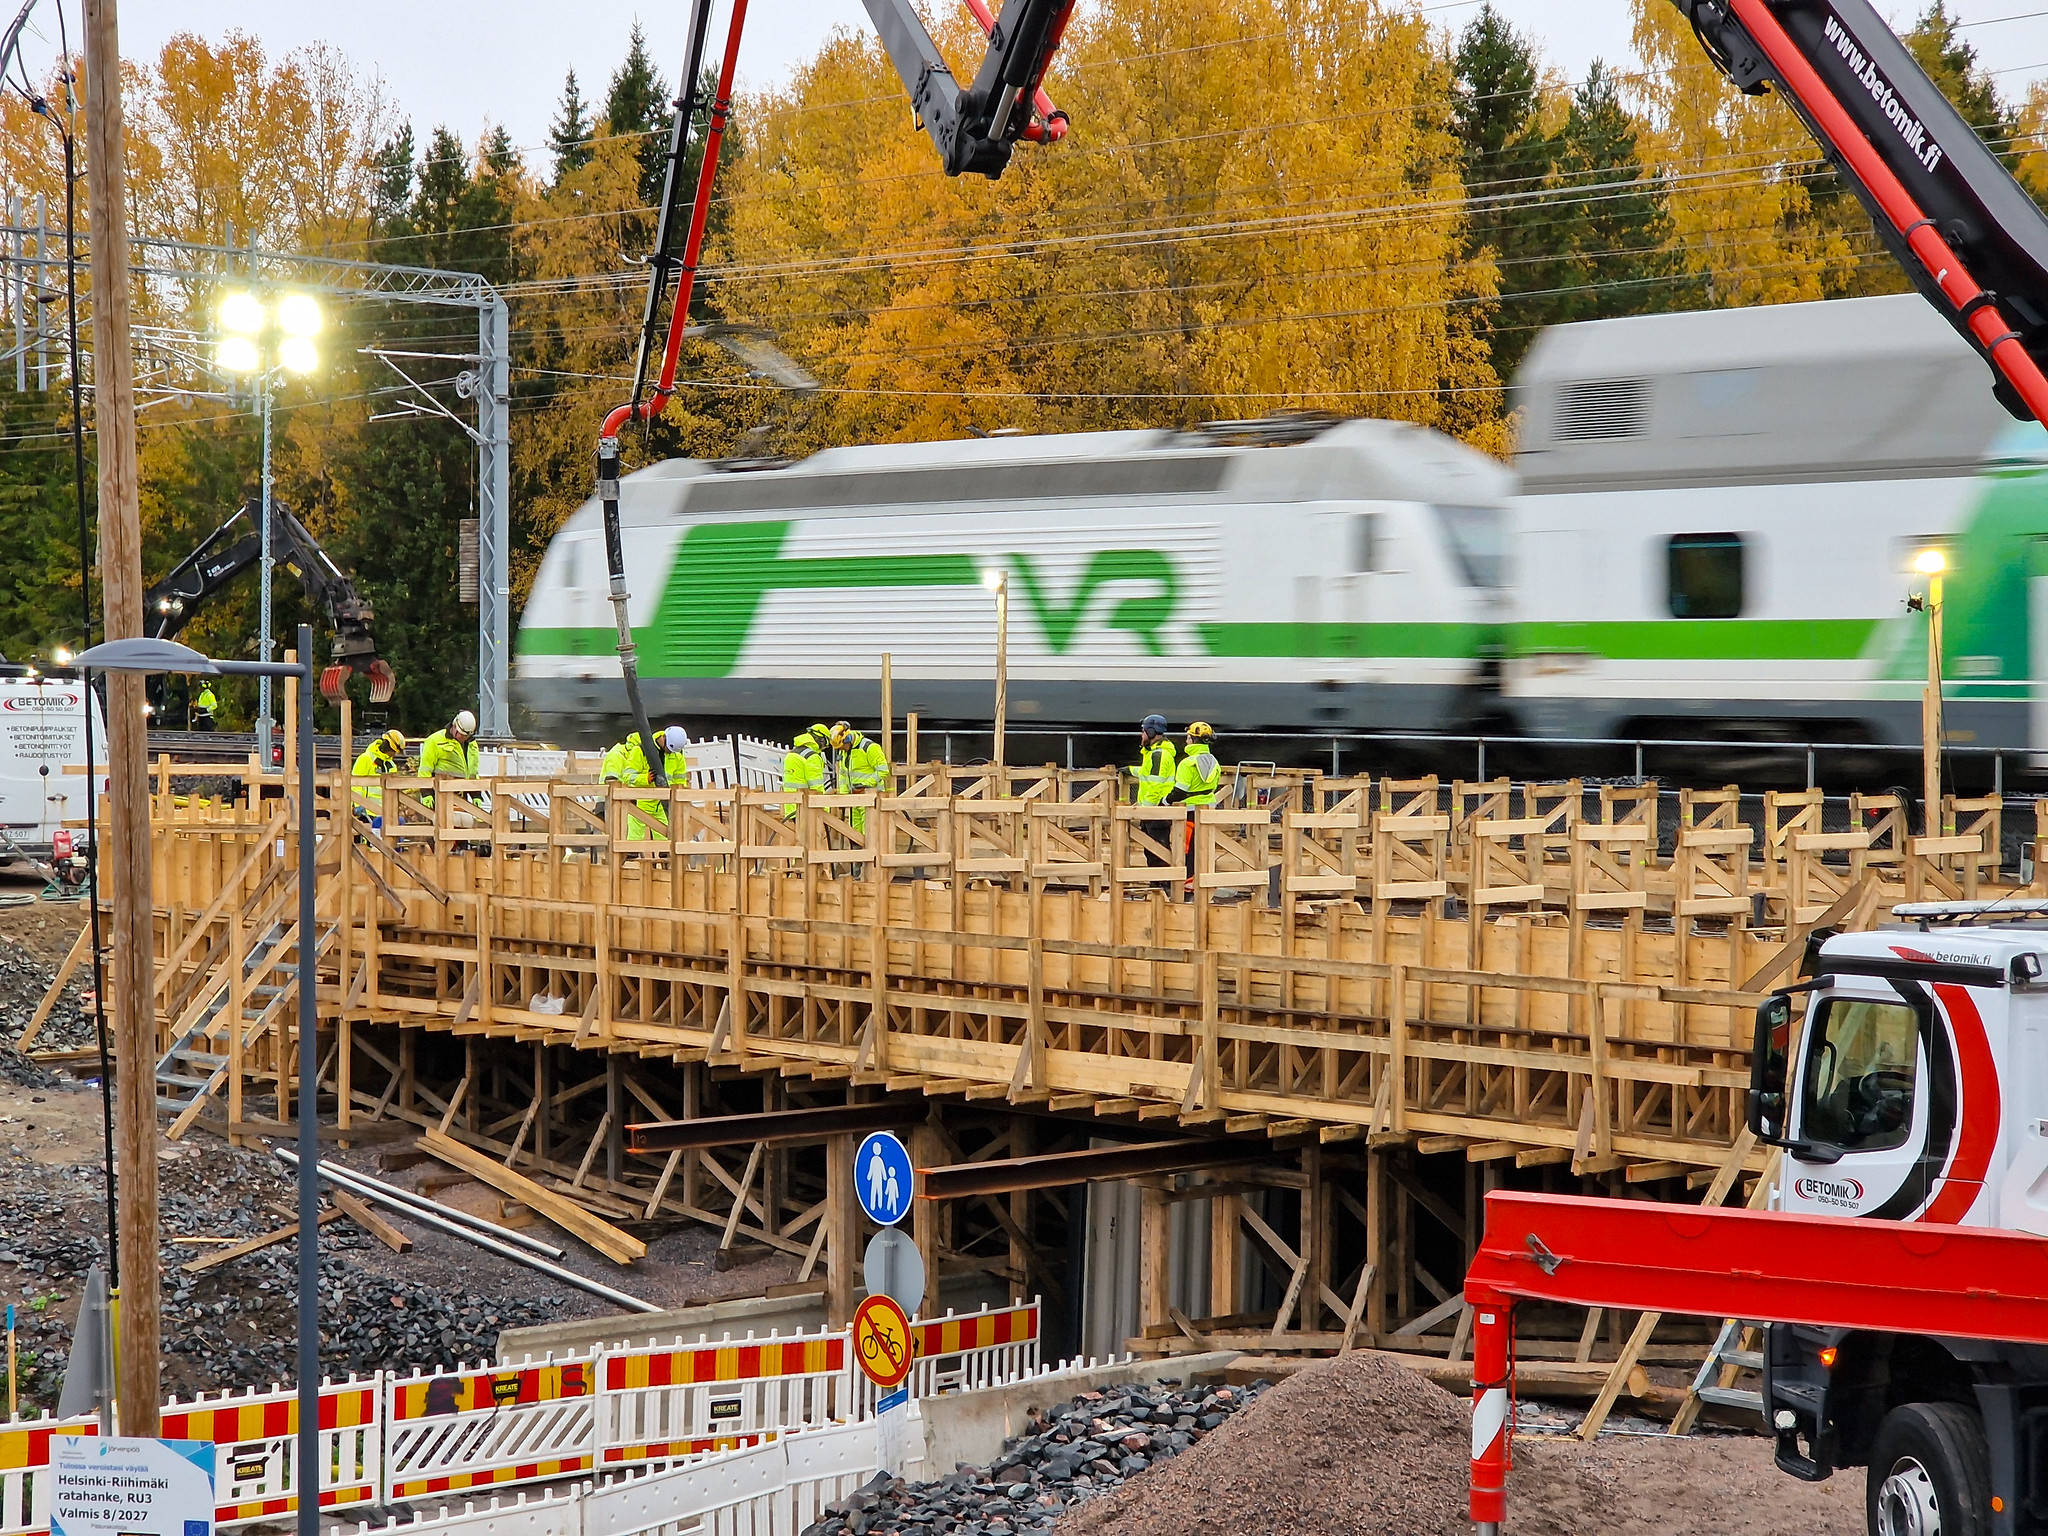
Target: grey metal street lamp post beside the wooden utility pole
<point x="155" y="656"/>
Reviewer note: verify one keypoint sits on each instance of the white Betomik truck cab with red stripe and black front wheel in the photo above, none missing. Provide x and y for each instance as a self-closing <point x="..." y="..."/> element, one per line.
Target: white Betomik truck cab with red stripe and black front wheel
<point x="1916" y="1091"/>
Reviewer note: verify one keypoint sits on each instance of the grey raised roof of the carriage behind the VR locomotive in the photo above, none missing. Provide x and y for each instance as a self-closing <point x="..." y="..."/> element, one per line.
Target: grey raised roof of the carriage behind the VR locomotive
<point x="1838" y="390"/>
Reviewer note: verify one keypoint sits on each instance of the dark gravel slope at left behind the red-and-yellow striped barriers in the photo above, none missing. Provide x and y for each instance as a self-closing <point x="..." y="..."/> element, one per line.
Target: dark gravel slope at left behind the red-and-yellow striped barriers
<point x="234" y="1326"/>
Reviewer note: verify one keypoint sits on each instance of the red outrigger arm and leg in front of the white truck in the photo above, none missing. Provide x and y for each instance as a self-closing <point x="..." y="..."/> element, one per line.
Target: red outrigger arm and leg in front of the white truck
<point x="1971" y="1283"/>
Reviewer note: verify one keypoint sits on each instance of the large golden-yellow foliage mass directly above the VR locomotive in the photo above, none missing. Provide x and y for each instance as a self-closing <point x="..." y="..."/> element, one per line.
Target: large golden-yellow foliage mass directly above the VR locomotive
<point x="1179" y="257"/>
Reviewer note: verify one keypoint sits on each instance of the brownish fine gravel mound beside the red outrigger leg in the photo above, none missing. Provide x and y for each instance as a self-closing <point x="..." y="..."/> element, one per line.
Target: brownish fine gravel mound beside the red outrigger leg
<point x="1351" y="1447"/>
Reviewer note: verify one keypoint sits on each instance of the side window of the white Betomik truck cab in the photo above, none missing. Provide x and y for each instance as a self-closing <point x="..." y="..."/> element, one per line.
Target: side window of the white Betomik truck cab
<point x="1861" y="1074"/>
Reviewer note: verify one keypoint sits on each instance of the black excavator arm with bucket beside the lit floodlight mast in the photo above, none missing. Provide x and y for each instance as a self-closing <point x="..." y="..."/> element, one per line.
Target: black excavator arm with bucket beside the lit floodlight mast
<point x="234" y="548"/>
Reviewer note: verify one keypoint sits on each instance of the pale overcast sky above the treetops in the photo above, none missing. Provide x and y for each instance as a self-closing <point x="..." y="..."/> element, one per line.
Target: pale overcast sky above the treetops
<point x="468" y="65"/>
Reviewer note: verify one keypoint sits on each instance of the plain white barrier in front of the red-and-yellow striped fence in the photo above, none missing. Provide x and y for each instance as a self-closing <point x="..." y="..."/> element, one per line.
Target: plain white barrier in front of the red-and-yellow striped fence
<point x="769" y="1490"/>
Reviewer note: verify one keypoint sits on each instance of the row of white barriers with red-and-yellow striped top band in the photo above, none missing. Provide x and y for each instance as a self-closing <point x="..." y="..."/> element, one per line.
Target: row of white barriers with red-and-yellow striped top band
<point x="402" y="1437"/>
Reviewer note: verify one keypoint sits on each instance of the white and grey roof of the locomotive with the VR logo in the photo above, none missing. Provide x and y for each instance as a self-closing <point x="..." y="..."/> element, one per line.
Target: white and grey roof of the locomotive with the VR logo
<point x="1232" y="462"/>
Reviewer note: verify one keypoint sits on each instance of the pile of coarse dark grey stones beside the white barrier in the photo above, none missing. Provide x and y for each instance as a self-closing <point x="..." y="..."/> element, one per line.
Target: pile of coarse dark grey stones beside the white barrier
<point x="1076" y="1453"/>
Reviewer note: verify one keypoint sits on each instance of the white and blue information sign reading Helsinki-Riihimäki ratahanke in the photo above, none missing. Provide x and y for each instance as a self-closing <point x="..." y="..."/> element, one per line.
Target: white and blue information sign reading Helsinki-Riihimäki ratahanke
<point x="132" y="1488"/>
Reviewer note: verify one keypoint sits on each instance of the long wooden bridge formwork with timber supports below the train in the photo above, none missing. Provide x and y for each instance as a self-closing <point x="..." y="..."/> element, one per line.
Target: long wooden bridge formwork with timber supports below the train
<point x="1367" y="974"/>
